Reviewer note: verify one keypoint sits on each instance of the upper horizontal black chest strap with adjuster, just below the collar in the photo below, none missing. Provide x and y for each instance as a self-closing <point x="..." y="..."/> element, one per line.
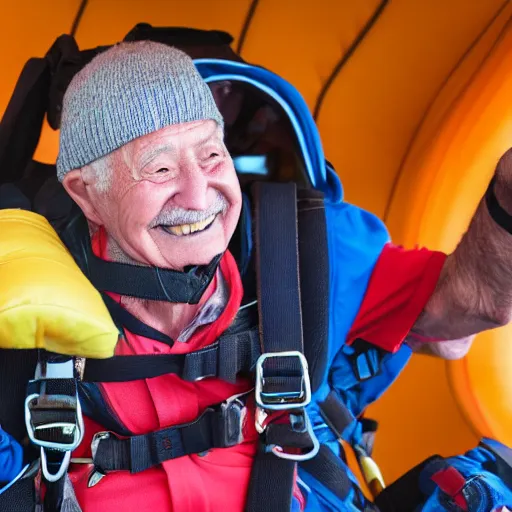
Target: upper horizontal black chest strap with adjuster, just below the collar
<point x="229" y="356"/>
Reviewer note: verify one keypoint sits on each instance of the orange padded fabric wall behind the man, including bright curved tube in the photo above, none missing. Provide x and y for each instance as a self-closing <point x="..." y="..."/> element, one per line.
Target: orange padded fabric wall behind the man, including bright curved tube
<point x="398" y="72"/>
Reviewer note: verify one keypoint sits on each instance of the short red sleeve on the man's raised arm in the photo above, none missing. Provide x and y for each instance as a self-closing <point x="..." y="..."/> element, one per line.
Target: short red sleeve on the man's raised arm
<point x="399" y="288"/>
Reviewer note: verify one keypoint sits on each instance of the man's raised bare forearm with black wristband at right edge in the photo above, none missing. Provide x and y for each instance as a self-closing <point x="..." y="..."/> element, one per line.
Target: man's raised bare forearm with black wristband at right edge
<point x="474" y="291"/>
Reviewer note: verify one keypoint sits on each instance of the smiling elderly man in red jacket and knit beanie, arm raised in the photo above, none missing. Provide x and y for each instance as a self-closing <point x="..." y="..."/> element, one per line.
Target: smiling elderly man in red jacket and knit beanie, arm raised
<point x="142" y="154"/>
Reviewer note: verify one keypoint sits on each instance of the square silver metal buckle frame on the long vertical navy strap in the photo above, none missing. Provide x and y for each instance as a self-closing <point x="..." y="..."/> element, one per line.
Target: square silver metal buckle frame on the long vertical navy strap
<point x="286" y="400"/>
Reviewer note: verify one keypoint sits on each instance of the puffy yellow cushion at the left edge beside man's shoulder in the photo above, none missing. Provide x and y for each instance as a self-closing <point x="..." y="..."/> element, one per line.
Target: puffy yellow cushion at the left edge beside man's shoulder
<point x="45" y="299"/>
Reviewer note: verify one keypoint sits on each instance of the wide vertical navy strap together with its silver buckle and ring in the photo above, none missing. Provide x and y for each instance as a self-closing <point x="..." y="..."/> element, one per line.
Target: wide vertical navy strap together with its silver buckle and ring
<point x="283" y="385"/>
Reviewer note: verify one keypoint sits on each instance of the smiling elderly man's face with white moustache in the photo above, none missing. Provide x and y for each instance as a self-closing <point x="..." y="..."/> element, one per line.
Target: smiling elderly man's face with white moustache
<point x="173" y="198"/>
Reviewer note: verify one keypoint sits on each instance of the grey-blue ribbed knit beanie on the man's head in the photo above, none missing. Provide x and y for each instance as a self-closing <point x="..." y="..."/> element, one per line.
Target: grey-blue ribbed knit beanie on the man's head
<point x="128" y="91"/>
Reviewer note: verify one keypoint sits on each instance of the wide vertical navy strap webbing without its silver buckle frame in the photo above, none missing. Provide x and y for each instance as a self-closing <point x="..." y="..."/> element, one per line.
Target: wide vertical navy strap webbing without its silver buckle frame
<point x="271" y="484"/>
